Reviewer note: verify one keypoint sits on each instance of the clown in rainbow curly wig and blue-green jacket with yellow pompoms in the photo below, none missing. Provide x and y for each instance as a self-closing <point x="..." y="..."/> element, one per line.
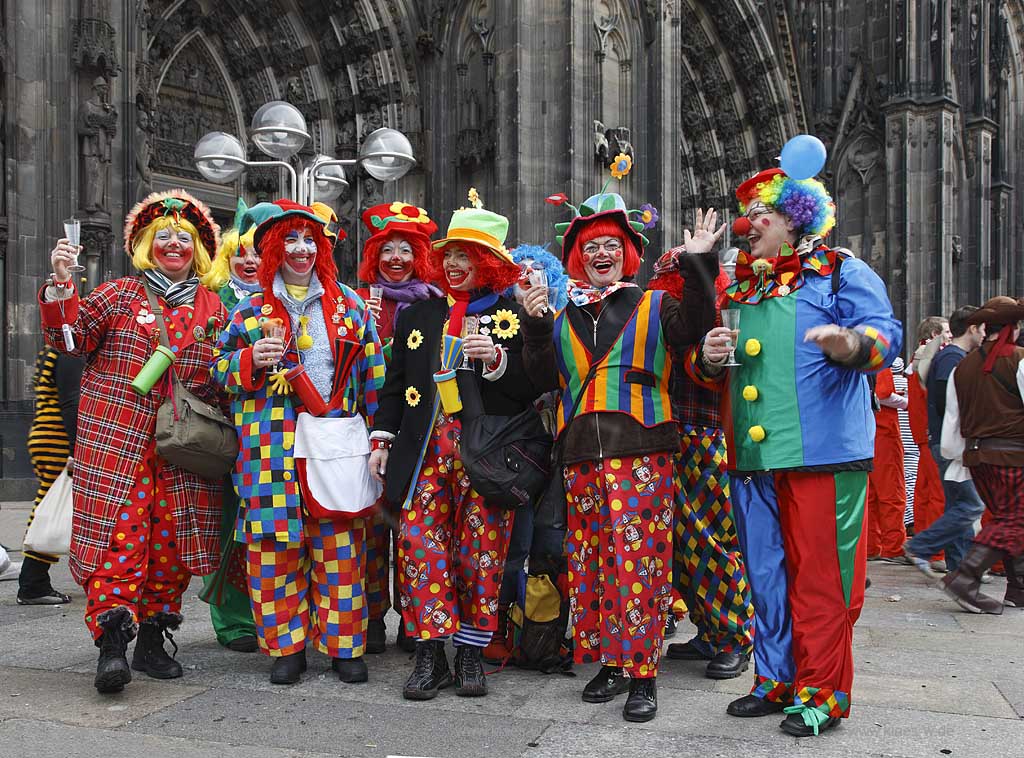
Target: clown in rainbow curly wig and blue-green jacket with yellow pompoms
<point x="800" y="431"/>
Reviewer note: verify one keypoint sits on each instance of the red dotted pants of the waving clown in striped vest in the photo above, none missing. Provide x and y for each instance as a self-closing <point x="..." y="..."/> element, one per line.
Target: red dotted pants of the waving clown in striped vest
<point x="619" y="544"/>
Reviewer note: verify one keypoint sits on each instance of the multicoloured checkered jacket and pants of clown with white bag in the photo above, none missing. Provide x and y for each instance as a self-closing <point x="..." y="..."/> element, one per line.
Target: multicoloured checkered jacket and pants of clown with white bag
<point x="306" y="574"/>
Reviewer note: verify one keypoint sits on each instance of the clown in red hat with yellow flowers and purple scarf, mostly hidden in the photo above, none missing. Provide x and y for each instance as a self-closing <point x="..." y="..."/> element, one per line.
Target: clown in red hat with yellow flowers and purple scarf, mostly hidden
<point x="396" y="260"/>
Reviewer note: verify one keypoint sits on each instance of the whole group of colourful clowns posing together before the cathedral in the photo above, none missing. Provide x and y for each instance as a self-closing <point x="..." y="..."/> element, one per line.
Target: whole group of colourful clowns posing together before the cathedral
<point x="735" y="486"/>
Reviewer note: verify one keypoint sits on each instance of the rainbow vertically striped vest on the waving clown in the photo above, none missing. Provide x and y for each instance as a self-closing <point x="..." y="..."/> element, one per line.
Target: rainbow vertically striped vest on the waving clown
<point x="631" y="378"/>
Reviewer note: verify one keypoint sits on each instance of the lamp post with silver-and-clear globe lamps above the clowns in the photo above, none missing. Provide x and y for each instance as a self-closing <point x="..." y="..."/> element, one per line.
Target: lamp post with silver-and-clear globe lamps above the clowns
<point x="279" y="130"/>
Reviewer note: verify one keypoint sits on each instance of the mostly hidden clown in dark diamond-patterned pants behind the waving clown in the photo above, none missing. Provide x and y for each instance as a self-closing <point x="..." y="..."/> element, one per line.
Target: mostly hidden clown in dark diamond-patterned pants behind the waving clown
<point x="707" y="566"/>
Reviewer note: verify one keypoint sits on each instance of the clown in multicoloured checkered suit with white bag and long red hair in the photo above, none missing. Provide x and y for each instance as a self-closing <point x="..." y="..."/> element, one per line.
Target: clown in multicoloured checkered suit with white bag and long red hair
<point x="303" y="365"/>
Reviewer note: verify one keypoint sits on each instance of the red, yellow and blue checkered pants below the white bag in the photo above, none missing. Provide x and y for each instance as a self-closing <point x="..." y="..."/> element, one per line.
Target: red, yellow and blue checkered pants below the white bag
<point x="311" y="593"/>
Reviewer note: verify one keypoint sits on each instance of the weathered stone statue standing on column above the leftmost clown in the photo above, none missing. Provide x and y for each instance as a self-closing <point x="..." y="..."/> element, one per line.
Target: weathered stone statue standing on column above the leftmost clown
<point x="98" y="124"/>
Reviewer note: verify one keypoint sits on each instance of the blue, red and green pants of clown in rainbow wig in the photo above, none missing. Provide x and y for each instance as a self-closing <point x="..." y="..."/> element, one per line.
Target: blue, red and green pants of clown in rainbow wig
<point x="803" y="537"/>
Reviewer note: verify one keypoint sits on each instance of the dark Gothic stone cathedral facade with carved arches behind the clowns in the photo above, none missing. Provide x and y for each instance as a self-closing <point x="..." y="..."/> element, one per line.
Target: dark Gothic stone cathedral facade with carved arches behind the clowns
<point x="921" y="104"/>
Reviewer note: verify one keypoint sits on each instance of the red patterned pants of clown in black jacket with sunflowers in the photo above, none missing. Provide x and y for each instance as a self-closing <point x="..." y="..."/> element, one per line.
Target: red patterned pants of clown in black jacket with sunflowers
<point x="452" y="550"/>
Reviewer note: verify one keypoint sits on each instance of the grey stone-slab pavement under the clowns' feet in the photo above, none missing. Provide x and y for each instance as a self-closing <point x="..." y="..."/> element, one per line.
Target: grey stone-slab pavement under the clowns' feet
<point x="931" y="682"/>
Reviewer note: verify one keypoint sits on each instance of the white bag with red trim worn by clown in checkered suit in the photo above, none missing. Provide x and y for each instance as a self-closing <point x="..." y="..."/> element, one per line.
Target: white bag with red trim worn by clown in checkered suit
<point x="332" y="457"/>
